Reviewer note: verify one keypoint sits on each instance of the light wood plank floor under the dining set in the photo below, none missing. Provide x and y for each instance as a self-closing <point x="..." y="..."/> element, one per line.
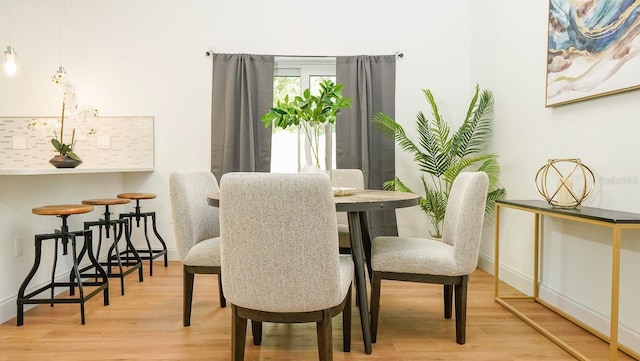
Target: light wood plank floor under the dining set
<point x="146" y="324"/>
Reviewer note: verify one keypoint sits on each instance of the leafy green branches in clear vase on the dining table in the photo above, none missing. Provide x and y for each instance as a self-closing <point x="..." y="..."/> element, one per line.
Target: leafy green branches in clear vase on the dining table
<point x="310" y="112"/>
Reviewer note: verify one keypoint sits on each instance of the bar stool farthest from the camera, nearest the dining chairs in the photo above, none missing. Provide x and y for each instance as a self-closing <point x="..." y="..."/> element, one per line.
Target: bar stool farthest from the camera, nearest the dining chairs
<point x="150" y="253"/>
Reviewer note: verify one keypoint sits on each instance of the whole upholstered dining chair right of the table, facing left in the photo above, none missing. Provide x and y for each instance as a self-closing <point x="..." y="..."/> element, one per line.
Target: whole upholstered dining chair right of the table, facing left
<point x="448" y="261"/>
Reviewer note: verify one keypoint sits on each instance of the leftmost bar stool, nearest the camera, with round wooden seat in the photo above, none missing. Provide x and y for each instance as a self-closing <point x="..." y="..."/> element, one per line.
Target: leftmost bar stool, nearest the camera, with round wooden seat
<point x="63" y="211"/>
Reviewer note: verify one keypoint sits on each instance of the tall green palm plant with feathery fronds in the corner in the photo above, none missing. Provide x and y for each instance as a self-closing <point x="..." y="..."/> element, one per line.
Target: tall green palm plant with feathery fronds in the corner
<point x="442" y="155"/>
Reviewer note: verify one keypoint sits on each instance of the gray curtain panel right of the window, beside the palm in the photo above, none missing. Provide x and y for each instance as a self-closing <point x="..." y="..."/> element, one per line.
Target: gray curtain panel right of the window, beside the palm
<point x="371" y="82"/>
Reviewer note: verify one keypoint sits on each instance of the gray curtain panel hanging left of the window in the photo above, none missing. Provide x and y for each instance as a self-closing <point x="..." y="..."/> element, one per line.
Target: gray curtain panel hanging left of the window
<point x="242" y="92"/>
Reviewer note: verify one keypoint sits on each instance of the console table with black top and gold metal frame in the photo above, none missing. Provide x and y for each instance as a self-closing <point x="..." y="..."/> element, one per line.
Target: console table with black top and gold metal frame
<point x="615" y="220"/>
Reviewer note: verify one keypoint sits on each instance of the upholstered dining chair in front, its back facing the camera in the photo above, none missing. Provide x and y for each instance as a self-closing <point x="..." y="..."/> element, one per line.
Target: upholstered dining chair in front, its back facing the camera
<point x="279" y="253"/>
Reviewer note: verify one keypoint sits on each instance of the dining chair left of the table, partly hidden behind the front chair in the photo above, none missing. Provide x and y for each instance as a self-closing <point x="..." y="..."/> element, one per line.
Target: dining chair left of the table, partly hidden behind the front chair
<point x="197" y="229"/>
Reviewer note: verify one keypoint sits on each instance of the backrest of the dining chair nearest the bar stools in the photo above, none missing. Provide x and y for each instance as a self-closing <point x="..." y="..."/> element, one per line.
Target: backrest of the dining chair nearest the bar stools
<point x="193" y="219"/>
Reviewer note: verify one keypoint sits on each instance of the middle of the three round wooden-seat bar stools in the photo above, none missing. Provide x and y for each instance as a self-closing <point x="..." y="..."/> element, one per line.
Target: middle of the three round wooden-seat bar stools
<point x="114" y="255"/>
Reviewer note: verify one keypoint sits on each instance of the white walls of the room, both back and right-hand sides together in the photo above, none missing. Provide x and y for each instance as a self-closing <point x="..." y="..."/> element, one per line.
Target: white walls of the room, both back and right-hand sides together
<point x="146" y="57"/>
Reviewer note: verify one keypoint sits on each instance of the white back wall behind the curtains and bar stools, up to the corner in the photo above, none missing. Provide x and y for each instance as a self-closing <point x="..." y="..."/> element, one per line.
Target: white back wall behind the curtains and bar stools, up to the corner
<point x="147" y="57"/>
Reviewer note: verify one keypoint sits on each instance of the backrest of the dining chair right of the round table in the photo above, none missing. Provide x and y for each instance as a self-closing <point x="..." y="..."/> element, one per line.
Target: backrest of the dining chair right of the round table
<point x="464" y="218"/>
